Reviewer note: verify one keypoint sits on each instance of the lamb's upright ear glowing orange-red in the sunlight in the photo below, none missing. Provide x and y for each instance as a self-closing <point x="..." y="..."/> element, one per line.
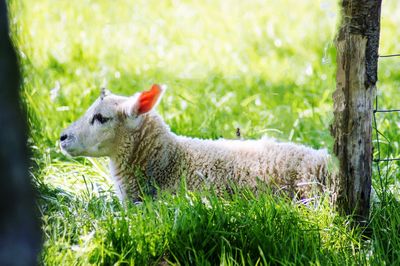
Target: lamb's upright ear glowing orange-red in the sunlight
<point x="145" y="102"/>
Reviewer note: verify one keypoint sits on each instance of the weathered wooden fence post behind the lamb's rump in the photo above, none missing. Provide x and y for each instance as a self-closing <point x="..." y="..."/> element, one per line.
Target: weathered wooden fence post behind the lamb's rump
<point x="357" y="57"/>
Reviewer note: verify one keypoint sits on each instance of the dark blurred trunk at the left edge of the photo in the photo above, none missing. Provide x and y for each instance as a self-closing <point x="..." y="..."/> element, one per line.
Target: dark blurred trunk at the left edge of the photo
<point x="19" y="230"/>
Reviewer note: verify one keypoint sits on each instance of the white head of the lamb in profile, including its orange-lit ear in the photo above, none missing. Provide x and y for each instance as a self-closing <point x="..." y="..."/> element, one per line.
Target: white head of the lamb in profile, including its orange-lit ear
<point x="97" y="133"/>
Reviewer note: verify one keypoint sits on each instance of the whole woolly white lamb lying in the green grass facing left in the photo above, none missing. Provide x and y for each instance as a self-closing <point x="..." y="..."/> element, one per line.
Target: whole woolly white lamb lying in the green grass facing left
<point x="140" y="145"/>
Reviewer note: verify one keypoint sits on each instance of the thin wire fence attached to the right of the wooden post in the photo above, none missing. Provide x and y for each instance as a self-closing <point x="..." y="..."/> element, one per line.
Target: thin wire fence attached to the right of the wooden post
<point x="383" y="179"/>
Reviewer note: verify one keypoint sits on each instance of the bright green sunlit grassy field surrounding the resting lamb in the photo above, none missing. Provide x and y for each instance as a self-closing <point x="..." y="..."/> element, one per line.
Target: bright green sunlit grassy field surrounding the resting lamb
<point x="267" y="67"/>
